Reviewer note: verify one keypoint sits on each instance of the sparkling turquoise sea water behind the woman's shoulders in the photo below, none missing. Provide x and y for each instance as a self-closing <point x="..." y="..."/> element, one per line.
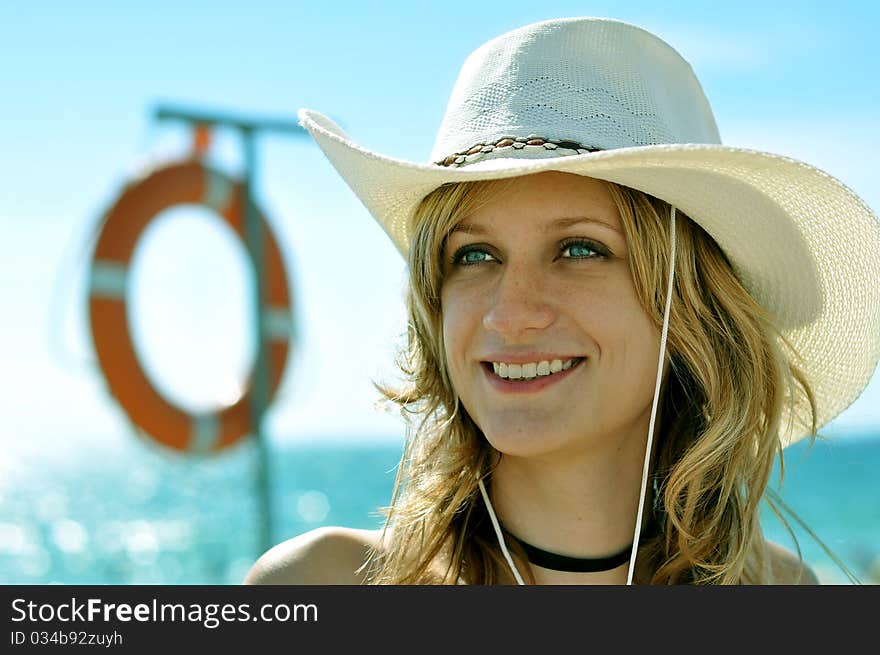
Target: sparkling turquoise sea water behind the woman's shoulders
<point x="129" y="512"/>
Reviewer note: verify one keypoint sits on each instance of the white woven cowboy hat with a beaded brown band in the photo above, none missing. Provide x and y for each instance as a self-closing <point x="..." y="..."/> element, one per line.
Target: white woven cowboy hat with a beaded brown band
<point x="609" y="100"/>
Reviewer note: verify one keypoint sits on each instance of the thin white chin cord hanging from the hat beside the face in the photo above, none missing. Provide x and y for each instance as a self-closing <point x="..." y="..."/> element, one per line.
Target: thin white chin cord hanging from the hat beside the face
<point x="648" y="447"/>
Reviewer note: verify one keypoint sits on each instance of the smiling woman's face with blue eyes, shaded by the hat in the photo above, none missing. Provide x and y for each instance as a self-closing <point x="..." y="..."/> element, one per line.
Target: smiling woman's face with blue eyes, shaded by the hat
<point x="546" y="342"/>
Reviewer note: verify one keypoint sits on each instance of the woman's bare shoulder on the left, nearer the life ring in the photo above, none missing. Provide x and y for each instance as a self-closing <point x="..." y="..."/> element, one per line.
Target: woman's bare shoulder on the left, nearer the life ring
<point x="323" y="556"/>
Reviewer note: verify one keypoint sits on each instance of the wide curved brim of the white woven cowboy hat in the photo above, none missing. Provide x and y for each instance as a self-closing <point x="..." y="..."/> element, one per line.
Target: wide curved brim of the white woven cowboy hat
<point x="804" y="245"/>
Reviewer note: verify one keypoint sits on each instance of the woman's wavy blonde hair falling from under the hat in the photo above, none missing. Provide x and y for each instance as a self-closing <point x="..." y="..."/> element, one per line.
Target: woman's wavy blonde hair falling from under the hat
<point x="731" y="379"/>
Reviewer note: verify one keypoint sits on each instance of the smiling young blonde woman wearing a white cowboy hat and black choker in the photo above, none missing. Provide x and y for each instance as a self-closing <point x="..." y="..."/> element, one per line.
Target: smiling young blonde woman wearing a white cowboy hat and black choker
<point x="616" y="325"/>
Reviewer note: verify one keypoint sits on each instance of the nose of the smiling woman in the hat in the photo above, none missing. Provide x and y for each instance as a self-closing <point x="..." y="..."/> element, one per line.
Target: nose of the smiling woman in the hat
<point x="519" y="303"/>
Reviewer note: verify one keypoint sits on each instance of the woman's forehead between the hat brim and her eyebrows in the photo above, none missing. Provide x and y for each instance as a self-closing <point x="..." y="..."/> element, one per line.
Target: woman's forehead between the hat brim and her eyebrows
<point x="545" y="201"/>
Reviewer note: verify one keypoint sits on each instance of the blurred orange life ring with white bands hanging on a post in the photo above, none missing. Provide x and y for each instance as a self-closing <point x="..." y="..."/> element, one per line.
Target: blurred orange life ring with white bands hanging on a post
<point x="188" y="182"/>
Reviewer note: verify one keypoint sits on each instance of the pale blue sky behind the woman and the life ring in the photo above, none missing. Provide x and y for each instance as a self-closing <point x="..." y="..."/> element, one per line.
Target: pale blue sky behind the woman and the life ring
<point x="79" y="83"/>
